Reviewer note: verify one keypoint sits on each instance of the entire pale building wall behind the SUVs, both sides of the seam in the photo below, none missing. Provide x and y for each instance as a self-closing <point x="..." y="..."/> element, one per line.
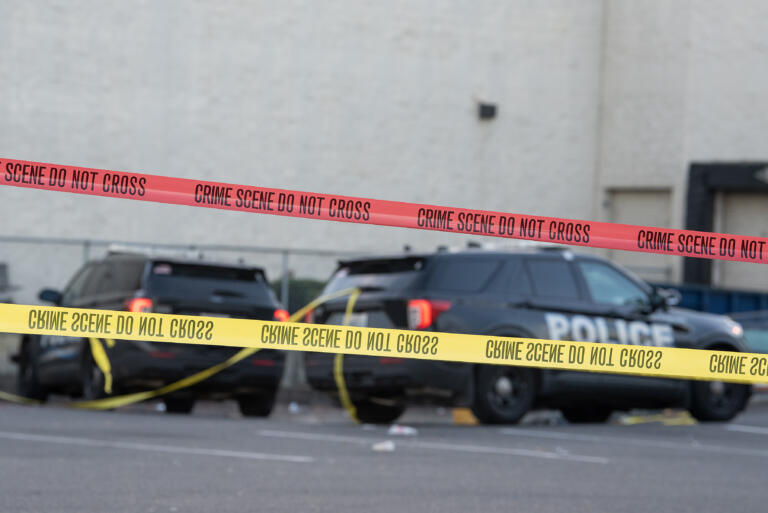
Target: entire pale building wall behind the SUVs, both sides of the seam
<point x="370" y="98"/>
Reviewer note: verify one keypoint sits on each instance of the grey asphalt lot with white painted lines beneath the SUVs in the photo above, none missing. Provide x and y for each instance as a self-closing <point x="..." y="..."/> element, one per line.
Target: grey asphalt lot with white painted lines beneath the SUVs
<point x="56" y="459"/>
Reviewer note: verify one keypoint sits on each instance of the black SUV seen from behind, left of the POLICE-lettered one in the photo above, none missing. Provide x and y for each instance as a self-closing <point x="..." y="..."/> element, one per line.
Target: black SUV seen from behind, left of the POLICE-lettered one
<point x="138" y="283"/>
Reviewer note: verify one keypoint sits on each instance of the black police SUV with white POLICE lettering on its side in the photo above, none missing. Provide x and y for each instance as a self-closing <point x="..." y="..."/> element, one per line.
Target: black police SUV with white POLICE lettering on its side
<point x="549" y="294"/>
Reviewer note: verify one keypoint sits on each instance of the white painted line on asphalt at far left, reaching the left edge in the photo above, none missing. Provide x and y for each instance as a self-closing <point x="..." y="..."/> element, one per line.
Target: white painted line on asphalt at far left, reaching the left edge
<point x="90" y="442"/>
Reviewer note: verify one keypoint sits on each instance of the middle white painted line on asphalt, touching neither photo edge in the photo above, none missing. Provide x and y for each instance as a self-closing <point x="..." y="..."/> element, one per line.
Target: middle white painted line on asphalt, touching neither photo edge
<point x="439" y="446"/>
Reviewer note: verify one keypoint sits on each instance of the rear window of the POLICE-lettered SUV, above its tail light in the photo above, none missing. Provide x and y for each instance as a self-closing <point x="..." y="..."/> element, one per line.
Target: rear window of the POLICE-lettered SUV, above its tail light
<point x="377" y="275"/>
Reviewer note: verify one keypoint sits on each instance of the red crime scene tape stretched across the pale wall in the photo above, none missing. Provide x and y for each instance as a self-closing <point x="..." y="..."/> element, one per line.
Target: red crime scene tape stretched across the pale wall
<point x="332" y="207"/>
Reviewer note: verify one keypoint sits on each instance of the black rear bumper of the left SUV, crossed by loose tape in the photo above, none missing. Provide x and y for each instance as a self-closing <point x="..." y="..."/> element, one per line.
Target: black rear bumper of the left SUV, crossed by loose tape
<point x="135" y="368"/>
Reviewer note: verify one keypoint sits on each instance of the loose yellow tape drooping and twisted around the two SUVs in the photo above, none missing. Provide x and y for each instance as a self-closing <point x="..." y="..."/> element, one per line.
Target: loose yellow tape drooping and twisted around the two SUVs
<point x="102" y="361"/>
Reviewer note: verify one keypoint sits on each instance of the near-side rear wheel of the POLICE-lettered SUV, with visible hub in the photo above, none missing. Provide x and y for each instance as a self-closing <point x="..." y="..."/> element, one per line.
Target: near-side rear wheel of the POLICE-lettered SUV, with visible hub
<point x="503" y="395"/>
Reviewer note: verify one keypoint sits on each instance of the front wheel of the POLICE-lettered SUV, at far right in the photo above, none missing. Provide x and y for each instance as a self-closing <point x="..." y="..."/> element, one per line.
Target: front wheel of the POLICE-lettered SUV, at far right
<point x="716" y="400"/>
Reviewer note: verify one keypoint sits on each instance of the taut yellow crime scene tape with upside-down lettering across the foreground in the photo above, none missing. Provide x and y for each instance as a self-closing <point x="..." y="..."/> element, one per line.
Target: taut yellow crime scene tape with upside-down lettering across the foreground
<point x="667" y="362"/>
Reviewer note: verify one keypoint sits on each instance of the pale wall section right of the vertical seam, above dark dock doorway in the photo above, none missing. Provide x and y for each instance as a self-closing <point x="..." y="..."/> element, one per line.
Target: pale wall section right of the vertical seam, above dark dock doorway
<point x="683" y="81"/>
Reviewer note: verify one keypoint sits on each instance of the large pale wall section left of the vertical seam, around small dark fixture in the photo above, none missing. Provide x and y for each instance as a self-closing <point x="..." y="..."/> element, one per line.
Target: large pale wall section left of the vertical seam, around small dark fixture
<point x="362" y="98"/>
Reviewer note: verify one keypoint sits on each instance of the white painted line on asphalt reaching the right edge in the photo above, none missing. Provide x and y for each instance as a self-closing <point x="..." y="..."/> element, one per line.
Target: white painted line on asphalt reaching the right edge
<point x="692" y="445"/>
